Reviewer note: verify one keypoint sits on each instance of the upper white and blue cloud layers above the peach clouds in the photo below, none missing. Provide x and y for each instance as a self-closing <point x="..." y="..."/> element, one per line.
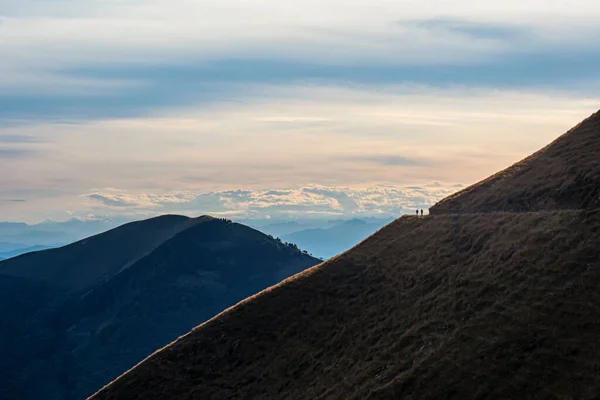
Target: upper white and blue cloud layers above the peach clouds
<point x="130" y="58"/>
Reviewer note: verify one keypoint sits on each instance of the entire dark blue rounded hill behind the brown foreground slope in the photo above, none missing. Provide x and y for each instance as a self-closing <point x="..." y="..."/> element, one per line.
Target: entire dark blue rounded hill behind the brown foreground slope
<point x="78" y="316"/>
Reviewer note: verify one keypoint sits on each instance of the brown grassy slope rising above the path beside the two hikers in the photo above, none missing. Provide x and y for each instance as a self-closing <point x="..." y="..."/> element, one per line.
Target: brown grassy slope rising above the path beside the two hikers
<point x="563" y="175"/>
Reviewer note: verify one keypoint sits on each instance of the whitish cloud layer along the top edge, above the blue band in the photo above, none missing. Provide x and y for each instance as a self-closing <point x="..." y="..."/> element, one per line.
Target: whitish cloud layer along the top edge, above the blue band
<point x="39" y="38"/>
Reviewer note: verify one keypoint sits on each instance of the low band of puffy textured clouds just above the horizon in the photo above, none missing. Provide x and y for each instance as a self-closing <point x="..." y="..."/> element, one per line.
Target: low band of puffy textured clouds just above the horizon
<point x="285" y="203"/>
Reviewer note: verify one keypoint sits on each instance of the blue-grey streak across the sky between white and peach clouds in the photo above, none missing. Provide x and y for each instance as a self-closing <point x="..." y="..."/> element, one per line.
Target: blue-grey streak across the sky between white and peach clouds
<point x="157" y="88"/>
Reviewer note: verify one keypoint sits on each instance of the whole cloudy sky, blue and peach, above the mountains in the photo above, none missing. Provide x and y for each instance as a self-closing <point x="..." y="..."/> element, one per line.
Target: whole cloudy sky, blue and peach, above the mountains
<point x="264" y="109"/>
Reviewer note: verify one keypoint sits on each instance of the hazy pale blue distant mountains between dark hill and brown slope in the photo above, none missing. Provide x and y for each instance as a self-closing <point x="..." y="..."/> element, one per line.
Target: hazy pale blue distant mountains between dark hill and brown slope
<point x="326" y="243"/>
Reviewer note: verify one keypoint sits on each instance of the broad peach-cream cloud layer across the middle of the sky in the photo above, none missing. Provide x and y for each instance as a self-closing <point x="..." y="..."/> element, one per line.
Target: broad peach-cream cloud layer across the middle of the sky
<point x="397" y="134"/>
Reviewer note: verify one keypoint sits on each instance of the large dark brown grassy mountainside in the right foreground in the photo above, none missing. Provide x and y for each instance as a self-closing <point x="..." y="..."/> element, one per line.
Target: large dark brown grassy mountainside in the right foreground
<point x="495" y="305"/>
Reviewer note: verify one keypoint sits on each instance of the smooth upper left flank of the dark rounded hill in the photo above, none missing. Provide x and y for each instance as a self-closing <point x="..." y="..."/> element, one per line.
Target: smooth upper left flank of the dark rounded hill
<point x="83" y="263"/>
